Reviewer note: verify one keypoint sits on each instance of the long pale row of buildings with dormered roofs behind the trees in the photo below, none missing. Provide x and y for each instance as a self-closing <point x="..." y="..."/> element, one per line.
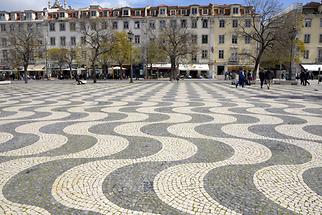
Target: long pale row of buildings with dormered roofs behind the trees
<point x="214" y="29"/>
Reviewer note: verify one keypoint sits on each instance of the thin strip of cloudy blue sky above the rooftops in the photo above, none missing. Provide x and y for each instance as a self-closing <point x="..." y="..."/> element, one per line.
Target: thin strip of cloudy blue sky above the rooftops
<point x="11" y="5"/>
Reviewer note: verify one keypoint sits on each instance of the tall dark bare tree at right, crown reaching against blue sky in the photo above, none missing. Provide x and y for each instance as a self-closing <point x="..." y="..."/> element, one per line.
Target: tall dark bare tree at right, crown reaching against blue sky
<point x="264" y="27"/>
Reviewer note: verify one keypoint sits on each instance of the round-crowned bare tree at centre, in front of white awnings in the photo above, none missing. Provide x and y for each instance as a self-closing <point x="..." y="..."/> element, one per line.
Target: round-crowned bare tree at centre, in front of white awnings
<point x="176" y="44"/>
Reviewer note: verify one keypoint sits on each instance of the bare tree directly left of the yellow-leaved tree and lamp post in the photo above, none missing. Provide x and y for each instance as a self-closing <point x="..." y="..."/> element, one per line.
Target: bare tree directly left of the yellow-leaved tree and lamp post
<point x="98" y="40"/>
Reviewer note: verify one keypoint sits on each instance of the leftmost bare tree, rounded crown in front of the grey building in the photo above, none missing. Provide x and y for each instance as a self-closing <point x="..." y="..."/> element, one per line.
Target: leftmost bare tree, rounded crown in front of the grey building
<point x="25" y="42"/>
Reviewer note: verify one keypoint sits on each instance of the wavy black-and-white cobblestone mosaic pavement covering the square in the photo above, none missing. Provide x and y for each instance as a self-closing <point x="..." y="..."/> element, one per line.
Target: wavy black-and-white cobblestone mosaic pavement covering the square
<point x="160" y="148"/>
